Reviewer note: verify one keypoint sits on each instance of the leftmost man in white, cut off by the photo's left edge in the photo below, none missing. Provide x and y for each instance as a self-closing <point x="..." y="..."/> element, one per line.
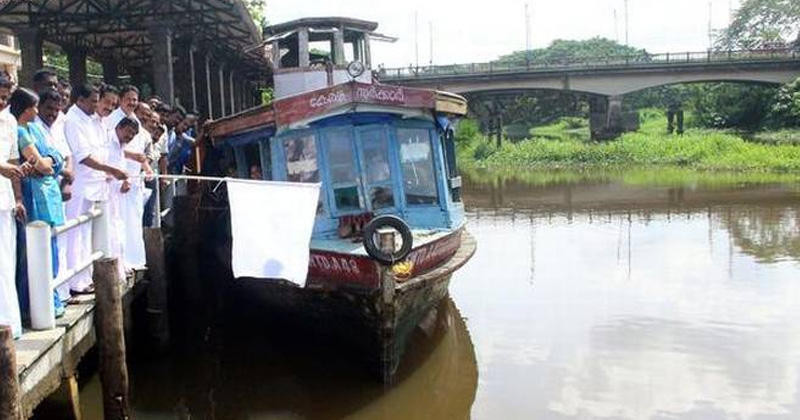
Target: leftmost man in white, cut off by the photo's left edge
<point x="10" y="206"/>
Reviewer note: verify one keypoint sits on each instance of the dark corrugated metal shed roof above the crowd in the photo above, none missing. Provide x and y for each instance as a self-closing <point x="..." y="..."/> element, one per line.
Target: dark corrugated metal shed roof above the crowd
<point x="120" y="28"/>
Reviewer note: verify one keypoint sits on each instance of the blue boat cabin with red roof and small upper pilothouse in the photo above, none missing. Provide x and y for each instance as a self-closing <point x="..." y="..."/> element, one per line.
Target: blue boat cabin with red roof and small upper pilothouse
<point x="376" y="149"/>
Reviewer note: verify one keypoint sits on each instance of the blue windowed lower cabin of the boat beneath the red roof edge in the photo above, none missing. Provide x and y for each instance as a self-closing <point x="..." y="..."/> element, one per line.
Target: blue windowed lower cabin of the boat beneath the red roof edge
<point x="369" y="164"/>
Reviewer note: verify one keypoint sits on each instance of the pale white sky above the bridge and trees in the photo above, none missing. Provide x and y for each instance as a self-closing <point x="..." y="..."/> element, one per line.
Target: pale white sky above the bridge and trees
<point x="473" y="31"/>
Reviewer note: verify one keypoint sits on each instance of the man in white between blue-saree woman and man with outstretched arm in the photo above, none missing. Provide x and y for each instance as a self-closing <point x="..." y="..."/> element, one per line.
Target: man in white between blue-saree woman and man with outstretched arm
<point x="51" y="120"/>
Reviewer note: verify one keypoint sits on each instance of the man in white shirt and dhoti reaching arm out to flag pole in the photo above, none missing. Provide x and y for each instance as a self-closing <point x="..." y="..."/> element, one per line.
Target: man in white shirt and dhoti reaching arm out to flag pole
<point x="89" y="145"/>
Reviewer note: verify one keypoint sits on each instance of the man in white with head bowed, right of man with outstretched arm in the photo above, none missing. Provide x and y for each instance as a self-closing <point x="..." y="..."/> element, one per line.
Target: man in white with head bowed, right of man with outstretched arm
<point x="124" y="131"/>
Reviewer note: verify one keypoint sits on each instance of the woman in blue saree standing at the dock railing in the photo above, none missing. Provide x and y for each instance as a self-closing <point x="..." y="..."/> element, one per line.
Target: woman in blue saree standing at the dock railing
<point x="40" y="190"/>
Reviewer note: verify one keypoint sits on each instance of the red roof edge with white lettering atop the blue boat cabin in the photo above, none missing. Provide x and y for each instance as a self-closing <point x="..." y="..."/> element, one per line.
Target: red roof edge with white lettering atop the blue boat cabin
<point x="322" y="103"/>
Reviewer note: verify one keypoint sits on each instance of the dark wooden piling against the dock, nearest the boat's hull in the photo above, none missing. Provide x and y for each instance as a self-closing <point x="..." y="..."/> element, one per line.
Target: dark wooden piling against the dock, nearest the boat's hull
<point x="157" y="290"/>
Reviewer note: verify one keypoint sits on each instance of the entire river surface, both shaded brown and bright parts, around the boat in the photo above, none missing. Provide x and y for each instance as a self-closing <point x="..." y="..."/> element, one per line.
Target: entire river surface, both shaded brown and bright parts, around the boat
<point x="585" y="300"/>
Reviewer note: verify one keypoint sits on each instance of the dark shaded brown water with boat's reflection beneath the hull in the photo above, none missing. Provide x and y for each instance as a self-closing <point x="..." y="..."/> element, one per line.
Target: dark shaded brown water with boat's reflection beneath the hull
<point x="245" y="373"/>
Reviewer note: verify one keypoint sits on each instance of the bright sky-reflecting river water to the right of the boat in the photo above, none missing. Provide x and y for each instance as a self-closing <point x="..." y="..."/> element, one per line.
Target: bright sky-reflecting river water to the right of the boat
<point x="606" y="300"/>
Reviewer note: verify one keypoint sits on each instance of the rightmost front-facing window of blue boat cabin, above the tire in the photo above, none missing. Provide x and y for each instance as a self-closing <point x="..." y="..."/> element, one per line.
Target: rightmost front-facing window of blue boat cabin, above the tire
<point x="416" y="159"/>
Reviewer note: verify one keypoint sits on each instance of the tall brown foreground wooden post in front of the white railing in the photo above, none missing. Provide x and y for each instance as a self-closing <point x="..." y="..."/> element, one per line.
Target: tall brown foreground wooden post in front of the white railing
<point x="111" y="340"/>
